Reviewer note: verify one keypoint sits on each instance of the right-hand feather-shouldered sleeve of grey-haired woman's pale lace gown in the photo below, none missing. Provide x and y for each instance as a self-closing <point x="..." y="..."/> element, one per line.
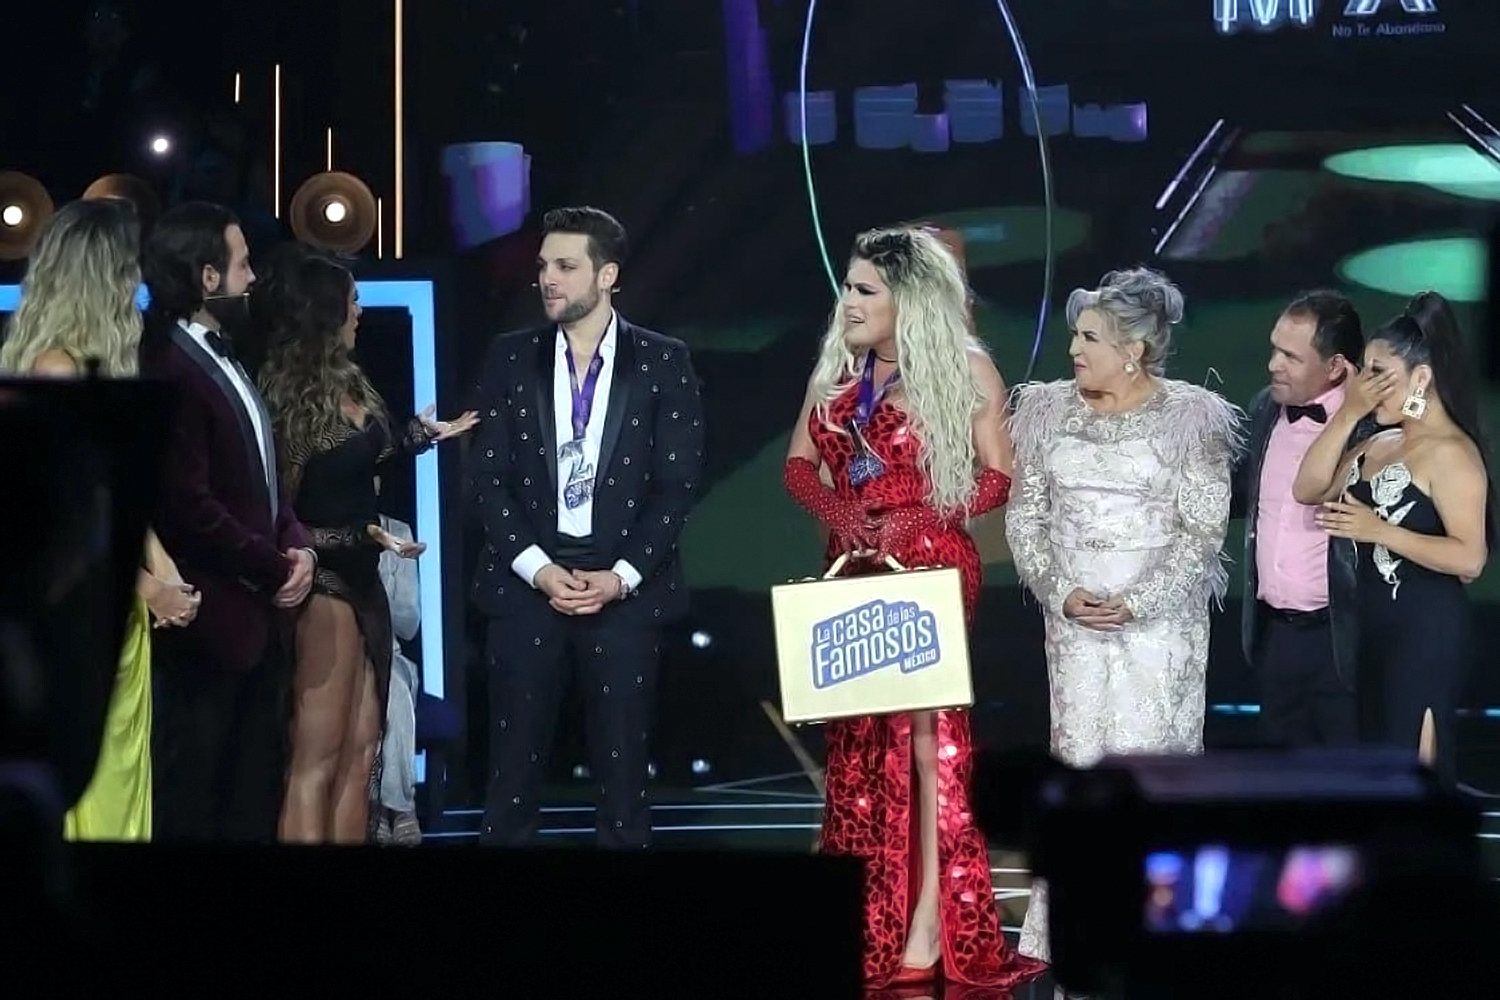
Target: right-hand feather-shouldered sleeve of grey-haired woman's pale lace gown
<point x="1201" y="436"/>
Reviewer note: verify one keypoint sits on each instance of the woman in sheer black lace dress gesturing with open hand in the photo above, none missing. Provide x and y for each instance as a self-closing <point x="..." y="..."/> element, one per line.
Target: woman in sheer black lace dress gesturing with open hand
<point x="332" y="436"/>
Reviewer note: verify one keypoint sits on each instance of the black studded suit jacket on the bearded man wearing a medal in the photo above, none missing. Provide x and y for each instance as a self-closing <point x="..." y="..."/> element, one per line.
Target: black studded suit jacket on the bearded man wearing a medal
<point x="650" y="464"/>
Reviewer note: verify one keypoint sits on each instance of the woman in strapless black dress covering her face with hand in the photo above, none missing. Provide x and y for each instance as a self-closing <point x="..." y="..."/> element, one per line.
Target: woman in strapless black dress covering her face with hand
<point x="1418" y="503"/>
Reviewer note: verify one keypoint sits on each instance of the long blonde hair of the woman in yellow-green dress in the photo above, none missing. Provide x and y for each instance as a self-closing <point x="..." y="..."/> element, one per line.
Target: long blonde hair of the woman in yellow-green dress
<point x="79" y="293"/>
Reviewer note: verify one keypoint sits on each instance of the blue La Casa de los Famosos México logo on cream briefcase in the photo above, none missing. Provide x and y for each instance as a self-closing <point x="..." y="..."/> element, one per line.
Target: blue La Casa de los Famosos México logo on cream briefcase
<point x="874" y="638"/>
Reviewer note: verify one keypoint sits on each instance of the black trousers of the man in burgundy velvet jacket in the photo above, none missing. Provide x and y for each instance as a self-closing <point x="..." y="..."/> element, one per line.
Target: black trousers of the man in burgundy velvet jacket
<point x="218" y="746"/>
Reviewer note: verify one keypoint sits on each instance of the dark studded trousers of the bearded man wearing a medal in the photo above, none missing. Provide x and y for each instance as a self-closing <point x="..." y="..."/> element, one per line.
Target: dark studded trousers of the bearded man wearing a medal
<point x="614" y="660"/>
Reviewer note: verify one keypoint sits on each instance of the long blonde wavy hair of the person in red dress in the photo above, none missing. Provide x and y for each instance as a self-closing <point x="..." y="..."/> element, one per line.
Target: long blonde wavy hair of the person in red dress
<point x="934" y="340"/>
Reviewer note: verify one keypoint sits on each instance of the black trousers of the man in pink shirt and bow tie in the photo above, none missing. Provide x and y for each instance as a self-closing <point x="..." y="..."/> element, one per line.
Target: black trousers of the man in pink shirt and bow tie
<point x="1303" y="699"/>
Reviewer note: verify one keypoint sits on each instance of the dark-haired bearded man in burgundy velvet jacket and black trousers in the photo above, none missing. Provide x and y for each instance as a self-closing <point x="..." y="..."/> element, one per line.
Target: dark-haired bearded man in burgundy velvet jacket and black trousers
<point x="220" y="684"/>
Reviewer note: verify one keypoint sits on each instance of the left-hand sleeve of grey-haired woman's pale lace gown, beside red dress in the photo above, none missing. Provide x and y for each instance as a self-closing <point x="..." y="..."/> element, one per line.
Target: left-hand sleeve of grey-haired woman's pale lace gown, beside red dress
<point x="1037" y="416"/>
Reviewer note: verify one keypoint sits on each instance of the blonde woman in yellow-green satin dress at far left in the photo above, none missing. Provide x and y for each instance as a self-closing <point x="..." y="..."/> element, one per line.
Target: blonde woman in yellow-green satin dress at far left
<point x="77" y="311"/>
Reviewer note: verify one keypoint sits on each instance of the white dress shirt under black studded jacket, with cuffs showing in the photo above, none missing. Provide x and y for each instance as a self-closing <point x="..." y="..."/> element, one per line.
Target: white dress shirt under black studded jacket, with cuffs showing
<point x="580" y="521"/>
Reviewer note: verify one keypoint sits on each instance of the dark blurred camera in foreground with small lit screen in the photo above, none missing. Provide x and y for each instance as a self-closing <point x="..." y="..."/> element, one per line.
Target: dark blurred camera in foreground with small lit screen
<point x="1205" y="876"/>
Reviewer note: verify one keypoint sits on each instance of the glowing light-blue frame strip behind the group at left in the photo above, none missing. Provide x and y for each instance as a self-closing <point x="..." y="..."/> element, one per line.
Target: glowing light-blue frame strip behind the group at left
<point x="418" y="298"/>
